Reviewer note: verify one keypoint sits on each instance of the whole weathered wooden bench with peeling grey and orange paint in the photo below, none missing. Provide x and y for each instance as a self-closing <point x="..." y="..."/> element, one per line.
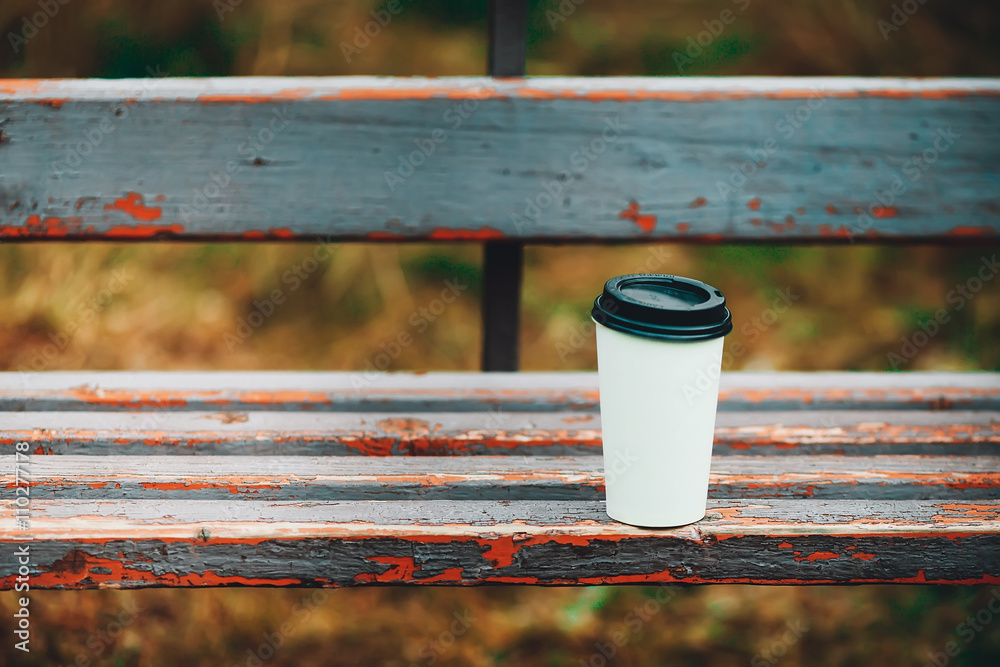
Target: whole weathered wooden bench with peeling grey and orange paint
<point x="317" y="479"/>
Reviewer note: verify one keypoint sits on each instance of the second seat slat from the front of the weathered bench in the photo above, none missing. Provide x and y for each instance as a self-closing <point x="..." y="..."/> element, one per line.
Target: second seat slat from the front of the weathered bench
<point x="273" y="478"/>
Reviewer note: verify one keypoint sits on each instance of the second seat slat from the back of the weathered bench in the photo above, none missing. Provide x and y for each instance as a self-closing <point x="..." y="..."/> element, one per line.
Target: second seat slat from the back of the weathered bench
<point x="465" y="433"/>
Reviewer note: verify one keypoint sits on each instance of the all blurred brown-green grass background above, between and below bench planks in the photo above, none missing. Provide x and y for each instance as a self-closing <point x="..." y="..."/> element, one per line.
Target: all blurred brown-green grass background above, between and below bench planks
<point x="180" y="301"/>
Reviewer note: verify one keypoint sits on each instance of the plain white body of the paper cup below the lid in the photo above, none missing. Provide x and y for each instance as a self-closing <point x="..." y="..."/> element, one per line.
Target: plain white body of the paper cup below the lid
<point x="658" y="405"/>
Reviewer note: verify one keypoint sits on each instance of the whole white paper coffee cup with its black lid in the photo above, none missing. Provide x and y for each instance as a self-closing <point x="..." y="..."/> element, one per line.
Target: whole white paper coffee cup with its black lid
<point x="659" y="355"/>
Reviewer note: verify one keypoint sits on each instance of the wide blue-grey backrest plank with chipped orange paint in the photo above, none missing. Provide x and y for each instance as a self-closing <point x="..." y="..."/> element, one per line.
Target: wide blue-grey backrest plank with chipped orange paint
<point x="545" y="159"/>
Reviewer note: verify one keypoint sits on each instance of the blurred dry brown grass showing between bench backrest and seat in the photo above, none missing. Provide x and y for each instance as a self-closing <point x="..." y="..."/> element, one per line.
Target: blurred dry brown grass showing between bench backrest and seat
<point x="182" y="305"/>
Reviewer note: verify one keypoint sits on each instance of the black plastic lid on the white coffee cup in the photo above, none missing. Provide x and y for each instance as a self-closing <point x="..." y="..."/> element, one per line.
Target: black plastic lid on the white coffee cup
<point x="651" y="305"/>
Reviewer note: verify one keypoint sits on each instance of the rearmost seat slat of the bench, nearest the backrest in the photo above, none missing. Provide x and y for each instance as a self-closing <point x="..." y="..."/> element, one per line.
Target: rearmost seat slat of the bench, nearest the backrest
<point x="473" y="392"/>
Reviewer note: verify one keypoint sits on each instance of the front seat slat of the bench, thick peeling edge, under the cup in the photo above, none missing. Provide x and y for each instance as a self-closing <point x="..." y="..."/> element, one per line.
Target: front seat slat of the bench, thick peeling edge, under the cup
<point x="127" y="544"/>
